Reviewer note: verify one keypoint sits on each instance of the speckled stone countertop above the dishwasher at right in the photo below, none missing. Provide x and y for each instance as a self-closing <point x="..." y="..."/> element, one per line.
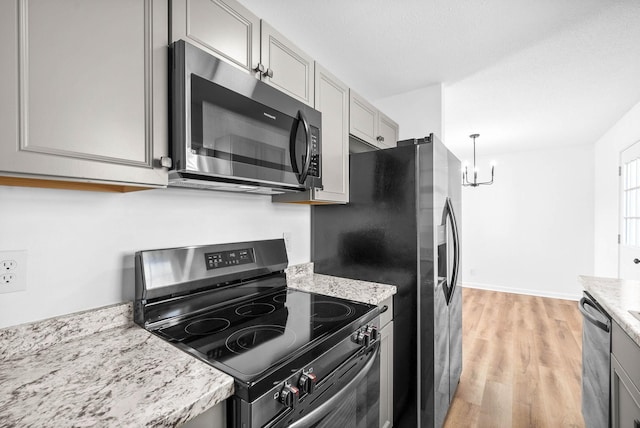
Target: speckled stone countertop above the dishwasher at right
<point x="617" y="297"/>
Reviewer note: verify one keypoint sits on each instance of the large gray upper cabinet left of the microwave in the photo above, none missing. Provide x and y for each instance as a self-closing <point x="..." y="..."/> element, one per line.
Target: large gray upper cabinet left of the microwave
<point x="83" y="94"/>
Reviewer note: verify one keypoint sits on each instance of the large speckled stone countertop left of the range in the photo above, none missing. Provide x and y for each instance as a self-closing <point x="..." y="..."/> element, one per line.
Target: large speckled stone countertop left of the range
<point x="97" y="368"/>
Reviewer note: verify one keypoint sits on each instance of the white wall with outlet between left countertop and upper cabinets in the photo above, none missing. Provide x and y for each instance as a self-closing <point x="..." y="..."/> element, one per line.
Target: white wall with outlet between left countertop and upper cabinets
<point x="81" y="244"/>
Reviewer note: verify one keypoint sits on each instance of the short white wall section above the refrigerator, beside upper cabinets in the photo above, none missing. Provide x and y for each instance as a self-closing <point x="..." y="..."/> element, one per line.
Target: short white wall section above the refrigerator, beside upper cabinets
<point x="417" y="112"/>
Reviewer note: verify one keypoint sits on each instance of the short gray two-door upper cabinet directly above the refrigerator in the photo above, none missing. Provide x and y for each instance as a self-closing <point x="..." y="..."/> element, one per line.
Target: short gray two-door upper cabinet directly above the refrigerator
<point x="370" y="125"/>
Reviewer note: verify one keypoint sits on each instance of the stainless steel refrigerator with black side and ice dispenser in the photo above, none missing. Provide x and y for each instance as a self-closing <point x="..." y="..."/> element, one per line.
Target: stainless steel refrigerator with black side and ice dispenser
<point x="402" y="227"/>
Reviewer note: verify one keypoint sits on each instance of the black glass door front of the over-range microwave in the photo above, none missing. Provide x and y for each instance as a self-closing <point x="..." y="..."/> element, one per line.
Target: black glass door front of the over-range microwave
<point x="234" y="135"/>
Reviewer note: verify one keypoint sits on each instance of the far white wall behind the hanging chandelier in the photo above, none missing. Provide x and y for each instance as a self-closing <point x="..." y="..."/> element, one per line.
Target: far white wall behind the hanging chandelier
<point x="531" y="232"/>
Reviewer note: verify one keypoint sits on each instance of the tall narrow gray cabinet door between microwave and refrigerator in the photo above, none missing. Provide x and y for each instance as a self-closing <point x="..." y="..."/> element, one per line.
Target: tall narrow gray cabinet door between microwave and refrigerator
<point x="332" y="100"/>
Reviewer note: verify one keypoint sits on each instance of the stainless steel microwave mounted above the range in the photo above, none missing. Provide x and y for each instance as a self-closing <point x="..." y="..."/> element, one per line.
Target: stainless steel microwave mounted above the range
<point x="232" y="132"/>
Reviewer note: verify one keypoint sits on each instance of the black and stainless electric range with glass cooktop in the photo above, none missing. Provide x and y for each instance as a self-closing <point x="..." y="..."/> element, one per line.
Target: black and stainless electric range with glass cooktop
<point x="290" y="352"/>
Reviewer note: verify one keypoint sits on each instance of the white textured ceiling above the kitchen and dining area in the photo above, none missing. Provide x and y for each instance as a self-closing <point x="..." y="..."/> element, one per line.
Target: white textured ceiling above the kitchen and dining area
<point x="524" y="74"/>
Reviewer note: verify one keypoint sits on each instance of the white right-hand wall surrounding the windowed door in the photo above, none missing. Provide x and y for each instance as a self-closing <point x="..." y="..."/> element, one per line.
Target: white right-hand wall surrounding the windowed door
<point x="607" y="159"/>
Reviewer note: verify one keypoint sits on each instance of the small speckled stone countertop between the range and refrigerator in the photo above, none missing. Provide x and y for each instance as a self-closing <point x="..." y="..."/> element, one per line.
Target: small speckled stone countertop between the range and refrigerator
<point x="302" y="277"/>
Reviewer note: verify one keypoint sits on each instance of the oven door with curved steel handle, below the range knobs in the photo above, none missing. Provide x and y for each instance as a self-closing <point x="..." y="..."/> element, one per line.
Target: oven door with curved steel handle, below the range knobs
<point x="349" y="397"/>
